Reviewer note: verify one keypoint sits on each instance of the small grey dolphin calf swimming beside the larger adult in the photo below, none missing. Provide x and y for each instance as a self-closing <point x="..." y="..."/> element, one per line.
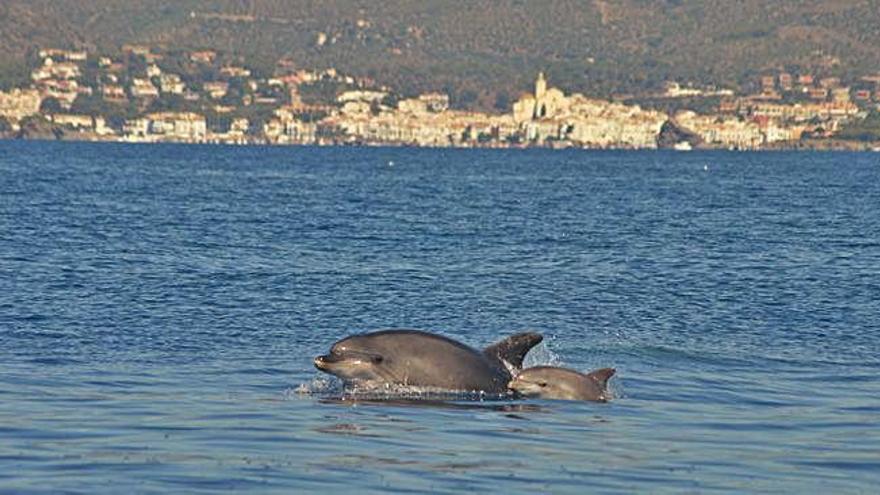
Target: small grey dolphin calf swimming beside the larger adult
<point x="550" y="382"/>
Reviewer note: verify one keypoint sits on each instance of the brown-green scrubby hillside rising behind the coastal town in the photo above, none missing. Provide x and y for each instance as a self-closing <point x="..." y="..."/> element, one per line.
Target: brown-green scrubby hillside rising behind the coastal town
<point x="482" y="52"/>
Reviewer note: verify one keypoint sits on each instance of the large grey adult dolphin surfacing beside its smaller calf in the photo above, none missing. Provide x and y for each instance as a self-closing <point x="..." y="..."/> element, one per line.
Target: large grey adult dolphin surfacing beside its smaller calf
<point x="412" y="358"/>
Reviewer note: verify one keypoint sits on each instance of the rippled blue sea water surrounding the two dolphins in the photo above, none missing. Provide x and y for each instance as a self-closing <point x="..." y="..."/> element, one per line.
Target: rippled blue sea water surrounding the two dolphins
<point x="160" y="307"/>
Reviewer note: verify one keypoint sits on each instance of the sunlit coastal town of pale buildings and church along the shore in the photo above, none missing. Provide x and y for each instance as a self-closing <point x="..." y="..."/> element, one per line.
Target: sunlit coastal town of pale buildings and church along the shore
<point x="142" y="94"/>
